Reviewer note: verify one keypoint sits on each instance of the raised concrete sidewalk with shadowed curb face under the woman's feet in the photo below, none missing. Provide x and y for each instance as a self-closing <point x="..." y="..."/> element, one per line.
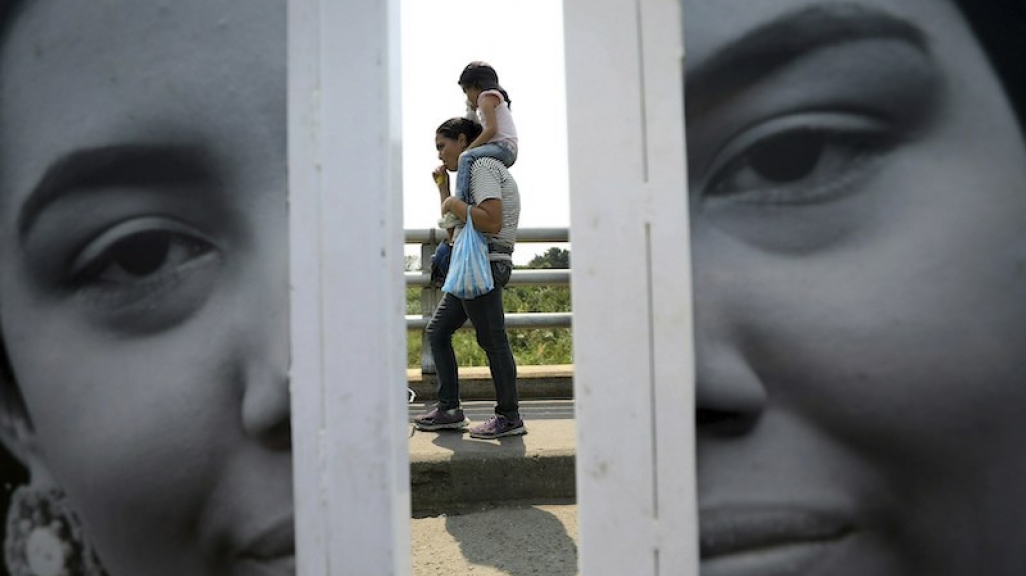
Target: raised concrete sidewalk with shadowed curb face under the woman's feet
<point x="452" y="473"/>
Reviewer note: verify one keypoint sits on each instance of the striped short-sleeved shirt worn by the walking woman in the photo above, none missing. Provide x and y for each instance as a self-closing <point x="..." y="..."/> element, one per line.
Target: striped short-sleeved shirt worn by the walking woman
<point x="490" y="179"/>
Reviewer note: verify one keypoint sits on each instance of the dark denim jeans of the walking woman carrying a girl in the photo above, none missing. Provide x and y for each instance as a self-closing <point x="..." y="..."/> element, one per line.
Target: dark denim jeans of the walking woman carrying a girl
<point x="486" y="313"/>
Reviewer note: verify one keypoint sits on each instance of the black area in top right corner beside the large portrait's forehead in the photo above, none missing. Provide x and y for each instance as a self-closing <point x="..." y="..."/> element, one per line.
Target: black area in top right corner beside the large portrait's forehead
<point x="1001" y="28"/>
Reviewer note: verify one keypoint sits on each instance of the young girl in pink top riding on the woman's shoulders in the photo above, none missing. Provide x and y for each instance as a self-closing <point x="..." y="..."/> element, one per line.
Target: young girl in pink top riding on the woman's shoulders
<point x="489" y="104"/>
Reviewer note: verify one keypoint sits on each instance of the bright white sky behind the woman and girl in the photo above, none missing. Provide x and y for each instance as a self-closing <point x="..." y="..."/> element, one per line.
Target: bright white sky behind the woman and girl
<point x="524" y="42"/>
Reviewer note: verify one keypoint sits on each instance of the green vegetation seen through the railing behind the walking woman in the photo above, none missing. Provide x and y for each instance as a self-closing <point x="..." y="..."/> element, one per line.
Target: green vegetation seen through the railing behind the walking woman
<point x="534" y="347"/>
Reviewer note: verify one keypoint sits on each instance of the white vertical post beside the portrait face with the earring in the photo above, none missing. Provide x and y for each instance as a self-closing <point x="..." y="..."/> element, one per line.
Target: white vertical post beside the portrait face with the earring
<point x="348" y="337"/>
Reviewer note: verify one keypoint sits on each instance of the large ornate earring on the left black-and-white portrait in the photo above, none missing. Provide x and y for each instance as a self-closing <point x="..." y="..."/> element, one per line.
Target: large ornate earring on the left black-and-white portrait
<point x="45" y="537"/>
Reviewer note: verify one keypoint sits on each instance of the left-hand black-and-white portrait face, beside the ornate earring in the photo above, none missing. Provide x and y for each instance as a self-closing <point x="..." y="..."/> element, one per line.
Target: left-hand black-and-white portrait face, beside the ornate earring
<point x="144" y="287"/>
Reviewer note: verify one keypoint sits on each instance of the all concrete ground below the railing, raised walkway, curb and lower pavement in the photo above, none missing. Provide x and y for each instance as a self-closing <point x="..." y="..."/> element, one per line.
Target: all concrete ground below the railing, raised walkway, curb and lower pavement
<point x="501" y="508"/>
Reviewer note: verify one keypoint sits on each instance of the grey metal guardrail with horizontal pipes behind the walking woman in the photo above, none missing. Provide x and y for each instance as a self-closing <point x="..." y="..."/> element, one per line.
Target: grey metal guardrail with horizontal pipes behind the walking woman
<point x="429" y="239"/>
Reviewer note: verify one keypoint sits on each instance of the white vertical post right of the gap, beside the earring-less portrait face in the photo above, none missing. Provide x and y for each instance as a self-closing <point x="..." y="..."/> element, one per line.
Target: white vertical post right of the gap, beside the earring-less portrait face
<point x="633" y="305"/>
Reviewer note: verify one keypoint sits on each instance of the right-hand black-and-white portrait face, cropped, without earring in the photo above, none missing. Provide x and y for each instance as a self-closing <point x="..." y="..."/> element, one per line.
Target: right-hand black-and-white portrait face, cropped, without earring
<point x="858" y="185"/>
